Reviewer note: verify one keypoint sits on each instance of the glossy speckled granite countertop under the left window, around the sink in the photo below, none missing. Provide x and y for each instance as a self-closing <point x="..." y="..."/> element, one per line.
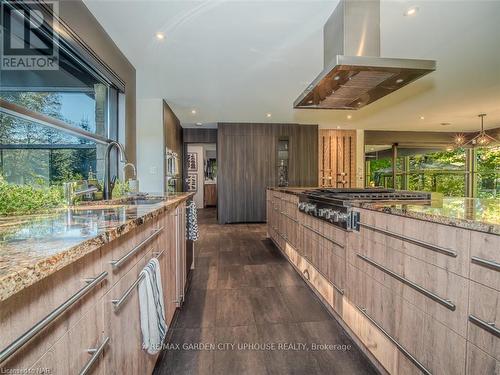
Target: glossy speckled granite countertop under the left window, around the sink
<point x="33" y="247"/>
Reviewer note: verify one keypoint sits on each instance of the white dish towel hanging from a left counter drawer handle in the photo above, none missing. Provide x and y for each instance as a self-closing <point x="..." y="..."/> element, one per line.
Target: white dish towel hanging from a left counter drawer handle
<point x="152" y="308"/>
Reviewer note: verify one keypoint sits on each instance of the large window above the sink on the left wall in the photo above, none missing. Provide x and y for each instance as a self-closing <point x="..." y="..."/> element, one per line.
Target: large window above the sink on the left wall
<point x="79" y="96"/>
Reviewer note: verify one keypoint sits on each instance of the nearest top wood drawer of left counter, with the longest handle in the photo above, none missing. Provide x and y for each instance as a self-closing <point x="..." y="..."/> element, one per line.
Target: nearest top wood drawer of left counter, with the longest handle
<point x="24" y="310"/>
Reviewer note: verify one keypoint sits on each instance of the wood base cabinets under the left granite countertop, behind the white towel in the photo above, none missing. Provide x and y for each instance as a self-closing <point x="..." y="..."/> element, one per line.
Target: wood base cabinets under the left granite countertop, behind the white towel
<point x="93" y="321"/>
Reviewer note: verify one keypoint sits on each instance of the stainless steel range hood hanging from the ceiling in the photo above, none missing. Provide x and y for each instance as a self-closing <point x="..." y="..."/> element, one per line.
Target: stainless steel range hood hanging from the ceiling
<point x="354" y="74"/>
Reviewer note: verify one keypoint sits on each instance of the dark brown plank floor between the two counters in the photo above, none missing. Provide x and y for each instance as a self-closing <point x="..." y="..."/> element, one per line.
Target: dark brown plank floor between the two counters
<point x="243" y="292"/>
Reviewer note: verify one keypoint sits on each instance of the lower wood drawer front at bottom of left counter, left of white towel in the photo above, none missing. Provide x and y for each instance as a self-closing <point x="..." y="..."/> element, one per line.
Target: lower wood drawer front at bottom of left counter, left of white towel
<point x="70" y="355"/>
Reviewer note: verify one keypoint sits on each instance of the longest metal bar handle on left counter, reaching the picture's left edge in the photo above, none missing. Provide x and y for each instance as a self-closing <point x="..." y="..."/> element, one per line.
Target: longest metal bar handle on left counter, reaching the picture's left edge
<point x="38" y="327"/>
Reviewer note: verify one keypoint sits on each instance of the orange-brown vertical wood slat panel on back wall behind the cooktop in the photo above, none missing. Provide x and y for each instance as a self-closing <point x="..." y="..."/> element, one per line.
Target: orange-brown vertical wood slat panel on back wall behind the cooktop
<point x="337" y="158"/>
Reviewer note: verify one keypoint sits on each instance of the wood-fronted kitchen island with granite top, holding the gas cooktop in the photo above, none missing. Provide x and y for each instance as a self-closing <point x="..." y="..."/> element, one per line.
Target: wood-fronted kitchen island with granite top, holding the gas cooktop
<point x="418" y="285"/>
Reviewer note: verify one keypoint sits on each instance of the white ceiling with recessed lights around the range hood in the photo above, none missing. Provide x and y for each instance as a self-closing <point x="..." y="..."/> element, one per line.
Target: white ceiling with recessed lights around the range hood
<point x="236" y="61"/>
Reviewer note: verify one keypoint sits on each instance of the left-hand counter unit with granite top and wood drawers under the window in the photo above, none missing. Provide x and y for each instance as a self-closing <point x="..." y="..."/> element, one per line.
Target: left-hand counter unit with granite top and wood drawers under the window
<point x="67" y="281"/>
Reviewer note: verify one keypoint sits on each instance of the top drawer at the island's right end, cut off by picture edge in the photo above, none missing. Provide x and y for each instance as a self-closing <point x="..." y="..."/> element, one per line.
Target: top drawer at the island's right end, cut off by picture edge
<point x="485" y="259"/>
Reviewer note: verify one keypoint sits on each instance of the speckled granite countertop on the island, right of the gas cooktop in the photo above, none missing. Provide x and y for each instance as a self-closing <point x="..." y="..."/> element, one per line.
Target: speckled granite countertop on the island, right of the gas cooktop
<point x="469" y="213"/>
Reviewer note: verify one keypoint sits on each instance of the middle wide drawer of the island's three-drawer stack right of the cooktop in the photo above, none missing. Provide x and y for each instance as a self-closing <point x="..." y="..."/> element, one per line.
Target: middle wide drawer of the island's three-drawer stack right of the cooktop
<point x="438" y="292"/>
